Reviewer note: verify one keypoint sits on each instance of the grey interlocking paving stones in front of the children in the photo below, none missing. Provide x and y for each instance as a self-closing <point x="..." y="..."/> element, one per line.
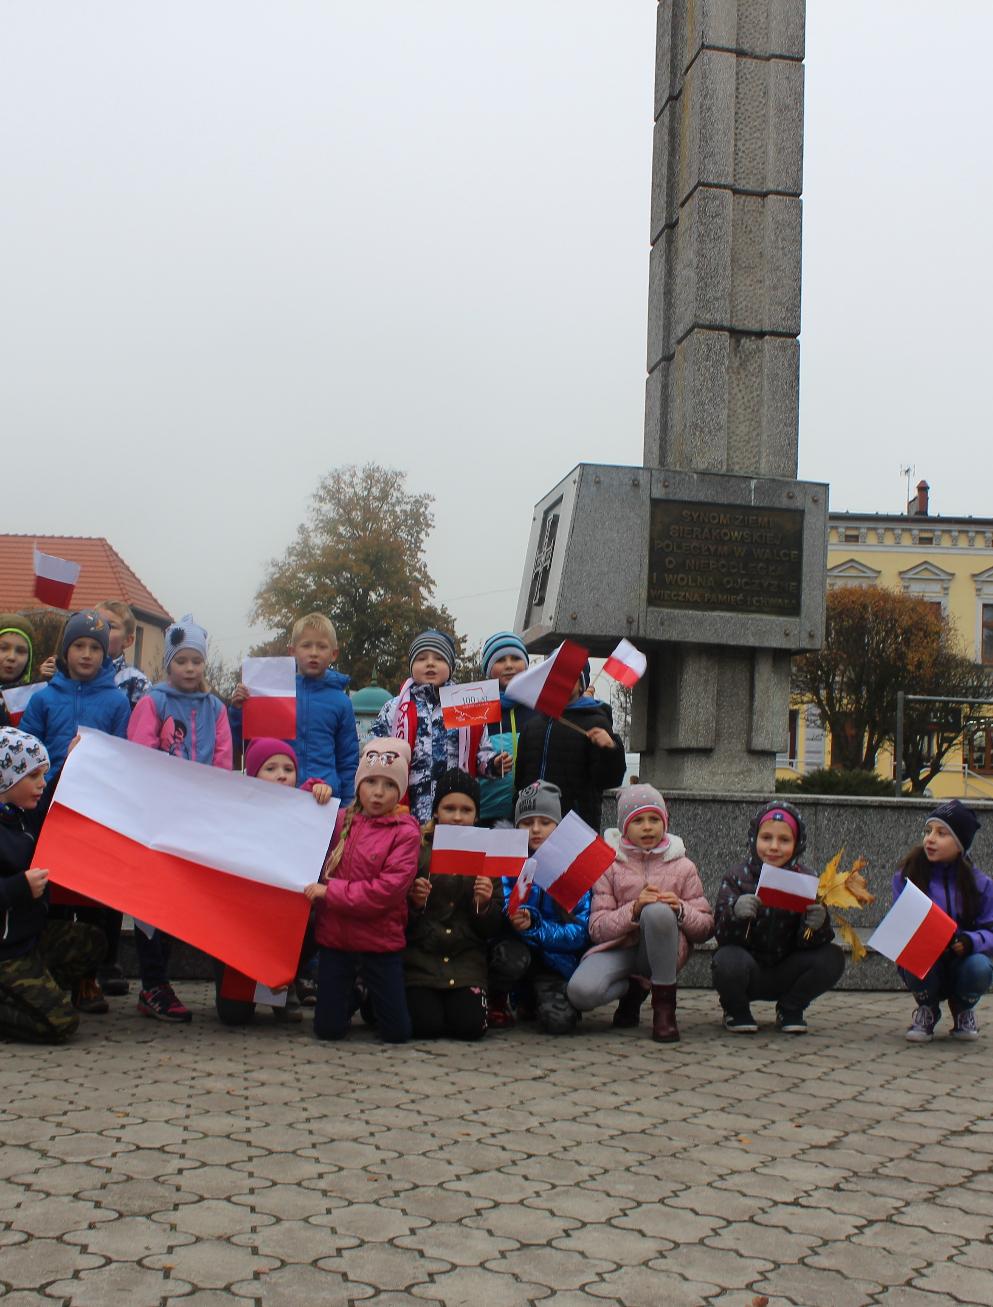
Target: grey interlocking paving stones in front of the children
<point x="150" y="1165"/>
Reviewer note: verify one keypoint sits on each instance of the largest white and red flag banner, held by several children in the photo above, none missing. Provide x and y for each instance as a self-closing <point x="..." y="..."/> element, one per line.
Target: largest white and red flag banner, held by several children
<point x="215" y="858"/>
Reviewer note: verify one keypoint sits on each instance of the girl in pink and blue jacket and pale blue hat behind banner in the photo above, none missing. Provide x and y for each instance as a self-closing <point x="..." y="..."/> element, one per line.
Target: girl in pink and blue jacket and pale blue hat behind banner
<point x="180" y="717"/>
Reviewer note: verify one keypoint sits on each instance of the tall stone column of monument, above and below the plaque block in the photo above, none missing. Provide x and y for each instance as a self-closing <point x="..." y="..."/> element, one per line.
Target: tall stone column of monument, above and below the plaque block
<point x="723" y="350"/>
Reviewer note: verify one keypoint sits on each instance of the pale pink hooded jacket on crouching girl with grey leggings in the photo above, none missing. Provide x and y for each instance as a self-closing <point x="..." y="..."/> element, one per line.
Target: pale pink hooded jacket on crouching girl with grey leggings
<point x="615" y="895"/>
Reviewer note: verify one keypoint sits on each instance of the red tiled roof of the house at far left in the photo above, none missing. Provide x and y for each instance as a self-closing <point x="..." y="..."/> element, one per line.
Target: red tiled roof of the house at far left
<point x="104" y="574"/>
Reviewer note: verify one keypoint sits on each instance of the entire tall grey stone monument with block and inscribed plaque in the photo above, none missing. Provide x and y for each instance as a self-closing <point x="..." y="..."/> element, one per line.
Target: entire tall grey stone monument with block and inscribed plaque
<point x="713" y="556"/>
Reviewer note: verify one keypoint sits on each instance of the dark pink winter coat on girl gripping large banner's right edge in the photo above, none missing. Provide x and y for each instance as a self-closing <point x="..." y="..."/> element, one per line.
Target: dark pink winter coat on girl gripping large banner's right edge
<point x="365" y="909"/>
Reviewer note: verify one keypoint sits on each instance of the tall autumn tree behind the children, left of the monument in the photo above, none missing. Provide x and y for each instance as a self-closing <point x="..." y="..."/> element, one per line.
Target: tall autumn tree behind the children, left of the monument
<point x="360" y="559"/>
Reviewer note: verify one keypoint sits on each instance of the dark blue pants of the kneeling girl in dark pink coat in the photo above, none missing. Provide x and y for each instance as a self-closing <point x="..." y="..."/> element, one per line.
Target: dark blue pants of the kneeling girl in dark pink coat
<point x="383" y="974"/>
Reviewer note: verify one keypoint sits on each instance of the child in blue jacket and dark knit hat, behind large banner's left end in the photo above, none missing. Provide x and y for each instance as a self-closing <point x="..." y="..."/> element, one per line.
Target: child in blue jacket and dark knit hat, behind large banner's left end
<point x="82" y="693"/>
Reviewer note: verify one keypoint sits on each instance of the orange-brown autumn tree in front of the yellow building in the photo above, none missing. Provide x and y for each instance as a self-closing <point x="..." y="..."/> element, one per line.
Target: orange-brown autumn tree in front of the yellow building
<point x="879" y="642"/>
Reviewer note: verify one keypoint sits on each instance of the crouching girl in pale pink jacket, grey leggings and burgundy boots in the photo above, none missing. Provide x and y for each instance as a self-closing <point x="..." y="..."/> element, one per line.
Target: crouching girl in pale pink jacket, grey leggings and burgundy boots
<point x="649" y="909"/>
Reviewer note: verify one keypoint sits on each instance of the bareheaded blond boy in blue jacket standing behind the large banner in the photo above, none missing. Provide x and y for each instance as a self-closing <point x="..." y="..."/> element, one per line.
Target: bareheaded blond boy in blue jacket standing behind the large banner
<point x="327" y="738"/>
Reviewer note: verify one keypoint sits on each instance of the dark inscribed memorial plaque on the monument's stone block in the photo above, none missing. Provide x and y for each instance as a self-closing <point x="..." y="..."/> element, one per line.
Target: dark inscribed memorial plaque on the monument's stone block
<point x="711" y="557"/>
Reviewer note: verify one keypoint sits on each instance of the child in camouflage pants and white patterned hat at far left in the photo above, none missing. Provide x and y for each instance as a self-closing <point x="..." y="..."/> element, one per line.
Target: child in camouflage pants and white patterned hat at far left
<point x="40" y="960"/>
